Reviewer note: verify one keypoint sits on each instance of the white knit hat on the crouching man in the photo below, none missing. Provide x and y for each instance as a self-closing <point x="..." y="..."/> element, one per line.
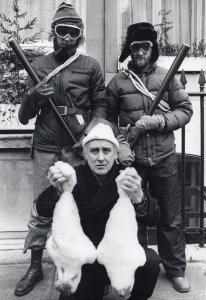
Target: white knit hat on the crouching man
<point x="101" y="132"/>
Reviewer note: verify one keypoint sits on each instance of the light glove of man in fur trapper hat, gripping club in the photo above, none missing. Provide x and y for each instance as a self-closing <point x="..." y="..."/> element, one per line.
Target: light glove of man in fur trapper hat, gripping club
<point x="151" y="122"/>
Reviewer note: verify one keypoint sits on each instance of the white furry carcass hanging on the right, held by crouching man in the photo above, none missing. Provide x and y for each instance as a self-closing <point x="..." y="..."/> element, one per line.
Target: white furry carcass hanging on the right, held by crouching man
<point x="120" y="251"/>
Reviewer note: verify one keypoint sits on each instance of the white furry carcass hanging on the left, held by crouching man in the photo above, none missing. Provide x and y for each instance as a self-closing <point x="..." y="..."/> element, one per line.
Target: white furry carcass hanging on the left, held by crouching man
<point x="68" y="246"/>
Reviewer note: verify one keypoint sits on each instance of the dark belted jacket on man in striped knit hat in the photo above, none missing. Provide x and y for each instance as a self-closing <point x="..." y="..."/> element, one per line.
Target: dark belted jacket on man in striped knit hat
<point x="80" y="87"/>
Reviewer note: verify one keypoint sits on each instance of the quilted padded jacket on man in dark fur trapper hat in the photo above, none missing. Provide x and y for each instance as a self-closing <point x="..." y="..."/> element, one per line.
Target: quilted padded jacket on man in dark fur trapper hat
<point x="127" y="105"/>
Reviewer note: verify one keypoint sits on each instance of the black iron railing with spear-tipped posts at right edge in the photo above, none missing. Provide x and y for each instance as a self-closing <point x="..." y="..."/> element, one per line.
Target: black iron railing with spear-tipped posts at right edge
<point x="198" y="191"/>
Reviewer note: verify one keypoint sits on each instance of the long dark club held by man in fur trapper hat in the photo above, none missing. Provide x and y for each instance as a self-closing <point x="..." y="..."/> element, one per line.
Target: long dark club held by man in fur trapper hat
<point x="166" y="82"/>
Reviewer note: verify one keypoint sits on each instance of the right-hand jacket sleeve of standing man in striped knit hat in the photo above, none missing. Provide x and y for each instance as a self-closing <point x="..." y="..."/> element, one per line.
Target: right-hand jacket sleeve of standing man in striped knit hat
<point x="99" y="104"/>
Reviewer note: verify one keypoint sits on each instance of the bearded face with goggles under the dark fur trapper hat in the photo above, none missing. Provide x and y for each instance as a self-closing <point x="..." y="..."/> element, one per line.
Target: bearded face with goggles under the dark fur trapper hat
<point x="141" y="56"/>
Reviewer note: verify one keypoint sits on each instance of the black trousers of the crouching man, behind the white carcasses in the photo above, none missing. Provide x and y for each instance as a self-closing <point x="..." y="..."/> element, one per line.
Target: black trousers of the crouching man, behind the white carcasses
<point x="94" y="280"/>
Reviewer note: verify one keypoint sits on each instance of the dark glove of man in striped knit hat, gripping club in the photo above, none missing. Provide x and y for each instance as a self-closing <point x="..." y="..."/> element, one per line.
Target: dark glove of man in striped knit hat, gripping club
<point x="40" y="93"/>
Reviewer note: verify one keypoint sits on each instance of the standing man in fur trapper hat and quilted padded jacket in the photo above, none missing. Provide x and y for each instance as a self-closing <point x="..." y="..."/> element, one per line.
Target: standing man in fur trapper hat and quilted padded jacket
<point x="130" y="95"/>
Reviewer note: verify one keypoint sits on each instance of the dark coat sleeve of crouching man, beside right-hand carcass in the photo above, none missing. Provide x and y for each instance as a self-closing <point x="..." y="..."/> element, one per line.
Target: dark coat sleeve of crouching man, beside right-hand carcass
<point x="148" y="211"/>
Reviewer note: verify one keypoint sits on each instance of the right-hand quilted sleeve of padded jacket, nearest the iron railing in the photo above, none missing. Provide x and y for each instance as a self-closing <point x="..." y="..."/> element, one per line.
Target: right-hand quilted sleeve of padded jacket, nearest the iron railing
<point x="181" y="107"/>
